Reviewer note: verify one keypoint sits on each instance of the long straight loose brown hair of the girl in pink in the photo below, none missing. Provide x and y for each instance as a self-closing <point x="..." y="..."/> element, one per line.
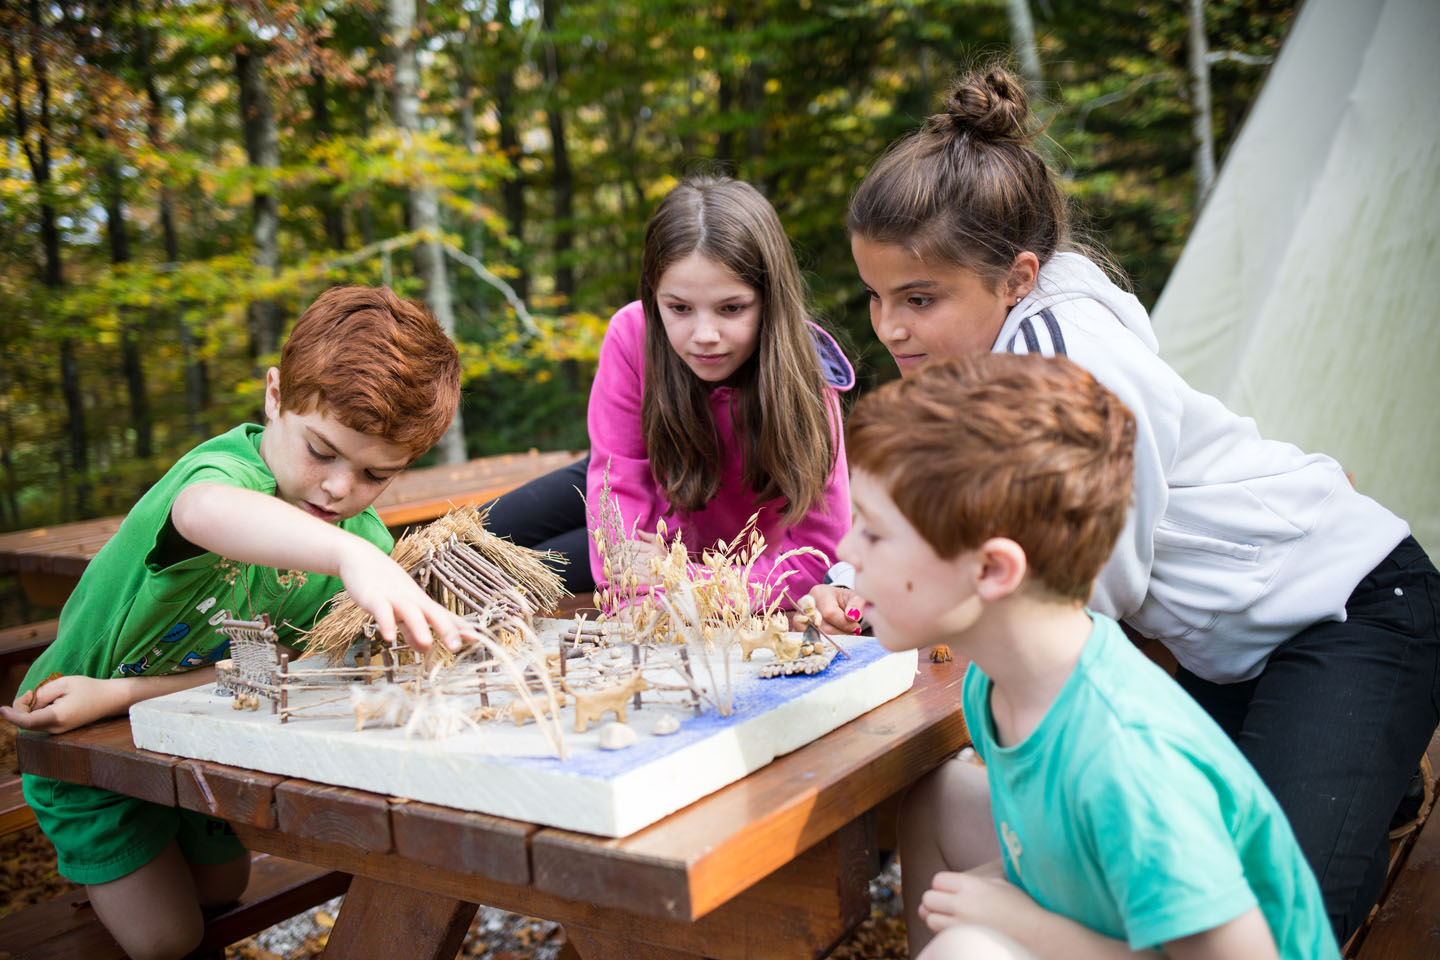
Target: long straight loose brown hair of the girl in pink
<point x="783" y="417"/>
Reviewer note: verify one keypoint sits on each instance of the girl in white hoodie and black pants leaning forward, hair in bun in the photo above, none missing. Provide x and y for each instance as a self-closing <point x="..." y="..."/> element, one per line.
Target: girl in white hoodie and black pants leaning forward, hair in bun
<point x="1301" y="612"/>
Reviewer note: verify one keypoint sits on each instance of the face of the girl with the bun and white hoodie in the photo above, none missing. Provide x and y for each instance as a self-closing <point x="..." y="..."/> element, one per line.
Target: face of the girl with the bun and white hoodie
<point x="928" y="312"/>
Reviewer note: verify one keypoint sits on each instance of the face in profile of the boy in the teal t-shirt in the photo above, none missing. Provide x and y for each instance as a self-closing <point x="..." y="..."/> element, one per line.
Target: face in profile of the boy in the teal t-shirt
<point x="914" y="597"/>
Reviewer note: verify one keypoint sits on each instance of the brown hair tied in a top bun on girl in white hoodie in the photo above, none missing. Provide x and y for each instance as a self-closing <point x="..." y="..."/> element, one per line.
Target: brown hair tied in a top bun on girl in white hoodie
<point x="968" y="188"/>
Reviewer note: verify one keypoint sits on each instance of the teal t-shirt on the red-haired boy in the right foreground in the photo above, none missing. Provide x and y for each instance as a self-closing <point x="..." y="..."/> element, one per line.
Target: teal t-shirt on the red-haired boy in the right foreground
<point x="1130" y="811"/>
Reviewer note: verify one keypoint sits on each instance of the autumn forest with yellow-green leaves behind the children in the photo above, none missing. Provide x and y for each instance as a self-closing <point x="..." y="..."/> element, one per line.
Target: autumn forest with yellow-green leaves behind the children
<point x="182" y="178"/>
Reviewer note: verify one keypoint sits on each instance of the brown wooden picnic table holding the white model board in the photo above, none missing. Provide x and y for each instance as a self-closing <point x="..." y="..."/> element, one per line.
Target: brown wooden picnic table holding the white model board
<point x="774" y="866"/>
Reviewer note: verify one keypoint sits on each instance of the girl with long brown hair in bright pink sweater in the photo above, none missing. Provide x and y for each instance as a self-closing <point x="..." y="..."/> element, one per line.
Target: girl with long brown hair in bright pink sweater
<point x="715" y="399"/>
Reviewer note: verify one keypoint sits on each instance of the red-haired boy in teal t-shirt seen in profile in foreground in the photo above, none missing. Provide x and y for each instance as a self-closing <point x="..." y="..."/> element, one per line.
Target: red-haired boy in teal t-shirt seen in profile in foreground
<point x="987" y="496"/>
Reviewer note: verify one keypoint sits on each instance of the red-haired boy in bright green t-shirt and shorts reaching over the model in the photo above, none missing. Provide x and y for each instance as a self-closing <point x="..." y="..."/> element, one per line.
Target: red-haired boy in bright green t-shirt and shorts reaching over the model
<point x="261" y="520"/>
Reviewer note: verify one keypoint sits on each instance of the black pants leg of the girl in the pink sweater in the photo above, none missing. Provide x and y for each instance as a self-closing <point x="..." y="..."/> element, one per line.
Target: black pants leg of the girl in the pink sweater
<point x="549" y="515"/>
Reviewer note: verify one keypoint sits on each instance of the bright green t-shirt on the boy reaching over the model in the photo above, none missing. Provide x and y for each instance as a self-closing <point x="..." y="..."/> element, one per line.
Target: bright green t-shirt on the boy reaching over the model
<point x="149" y="602"/>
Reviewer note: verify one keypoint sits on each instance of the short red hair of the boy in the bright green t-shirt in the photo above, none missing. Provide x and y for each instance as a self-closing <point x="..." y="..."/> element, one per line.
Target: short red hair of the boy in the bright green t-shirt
<point x="381" y="365"/>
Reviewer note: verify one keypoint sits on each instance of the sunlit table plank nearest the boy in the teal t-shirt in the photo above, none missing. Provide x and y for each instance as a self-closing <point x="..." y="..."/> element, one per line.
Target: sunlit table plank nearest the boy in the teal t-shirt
<point x="701" y="857"/>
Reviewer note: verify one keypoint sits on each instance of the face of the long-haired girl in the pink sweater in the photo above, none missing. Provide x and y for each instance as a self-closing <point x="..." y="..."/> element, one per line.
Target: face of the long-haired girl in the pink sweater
<point x="712" y="317"/>
